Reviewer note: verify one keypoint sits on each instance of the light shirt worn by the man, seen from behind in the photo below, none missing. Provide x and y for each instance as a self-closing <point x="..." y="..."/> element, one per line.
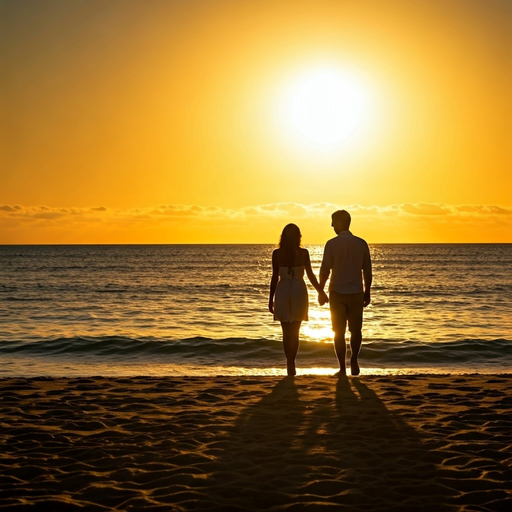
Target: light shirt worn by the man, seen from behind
<point x="347" y="256"/>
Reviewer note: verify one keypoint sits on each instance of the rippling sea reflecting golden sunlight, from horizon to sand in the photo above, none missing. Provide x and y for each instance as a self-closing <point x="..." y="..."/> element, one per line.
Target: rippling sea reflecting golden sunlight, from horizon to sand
<point x="201" y="310"/>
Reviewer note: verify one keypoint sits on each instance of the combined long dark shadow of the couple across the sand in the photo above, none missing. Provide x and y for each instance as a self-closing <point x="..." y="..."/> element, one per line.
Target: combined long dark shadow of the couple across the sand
<point x="298" y="449"/>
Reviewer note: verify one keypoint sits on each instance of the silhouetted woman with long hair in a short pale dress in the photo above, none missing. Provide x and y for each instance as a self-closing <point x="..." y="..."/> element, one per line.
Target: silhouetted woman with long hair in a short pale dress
<point x="288" y="300"/>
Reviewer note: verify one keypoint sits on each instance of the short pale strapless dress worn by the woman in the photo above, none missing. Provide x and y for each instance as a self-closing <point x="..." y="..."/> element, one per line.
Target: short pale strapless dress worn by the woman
<point x="291" y="298"/>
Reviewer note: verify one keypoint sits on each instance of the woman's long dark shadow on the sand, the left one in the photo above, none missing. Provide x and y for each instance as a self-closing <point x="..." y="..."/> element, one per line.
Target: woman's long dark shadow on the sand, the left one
<point x="259" y="464"/>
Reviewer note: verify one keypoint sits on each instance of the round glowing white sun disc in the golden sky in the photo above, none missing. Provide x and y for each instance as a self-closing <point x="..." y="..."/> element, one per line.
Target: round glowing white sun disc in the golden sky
<point x="324" y="108"/>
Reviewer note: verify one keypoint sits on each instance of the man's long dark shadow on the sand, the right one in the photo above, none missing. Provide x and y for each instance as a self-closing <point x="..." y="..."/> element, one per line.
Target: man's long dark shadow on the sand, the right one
<point x="384" y="460"/>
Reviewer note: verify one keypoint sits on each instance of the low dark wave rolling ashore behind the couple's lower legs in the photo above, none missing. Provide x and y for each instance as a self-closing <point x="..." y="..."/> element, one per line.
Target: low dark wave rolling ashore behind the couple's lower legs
<point x="261" y="352"/>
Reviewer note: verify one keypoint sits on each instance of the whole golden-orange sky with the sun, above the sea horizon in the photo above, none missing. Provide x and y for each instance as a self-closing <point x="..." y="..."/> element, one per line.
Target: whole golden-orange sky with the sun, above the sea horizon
<point x="179" y="121"/>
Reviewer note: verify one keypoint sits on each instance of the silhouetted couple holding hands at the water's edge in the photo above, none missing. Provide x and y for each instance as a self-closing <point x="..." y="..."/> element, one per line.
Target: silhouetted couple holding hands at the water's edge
<point x="346" y="261"/>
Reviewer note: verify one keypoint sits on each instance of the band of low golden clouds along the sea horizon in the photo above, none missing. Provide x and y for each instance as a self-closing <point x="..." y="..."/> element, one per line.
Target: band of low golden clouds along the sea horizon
<point x="171" y="223"/>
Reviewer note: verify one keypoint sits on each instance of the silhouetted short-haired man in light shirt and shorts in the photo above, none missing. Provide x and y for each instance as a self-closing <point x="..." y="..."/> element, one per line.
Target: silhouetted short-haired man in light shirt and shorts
<point x="348" y="257"/>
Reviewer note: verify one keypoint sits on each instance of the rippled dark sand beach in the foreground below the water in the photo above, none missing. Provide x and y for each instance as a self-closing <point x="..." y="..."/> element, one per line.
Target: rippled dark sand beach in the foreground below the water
<point x="400" y="443"/>
